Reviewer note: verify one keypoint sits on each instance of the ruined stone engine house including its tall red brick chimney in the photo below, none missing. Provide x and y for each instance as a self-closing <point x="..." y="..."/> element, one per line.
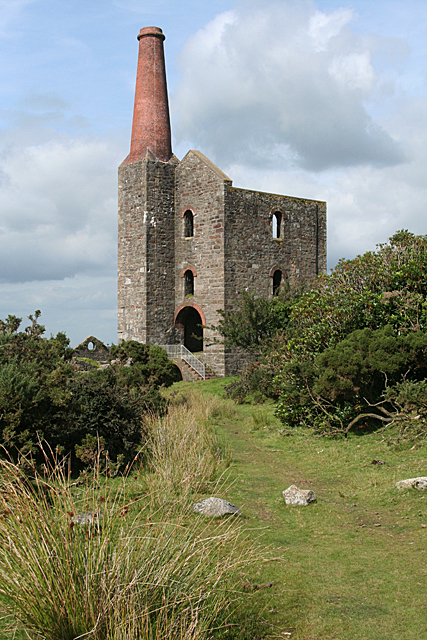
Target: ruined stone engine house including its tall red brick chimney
<point x="188" y="241"/>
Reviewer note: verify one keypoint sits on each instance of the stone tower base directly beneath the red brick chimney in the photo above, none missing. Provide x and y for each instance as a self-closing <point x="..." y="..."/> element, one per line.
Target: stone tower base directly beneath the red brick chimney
<point x="146" y="251"/>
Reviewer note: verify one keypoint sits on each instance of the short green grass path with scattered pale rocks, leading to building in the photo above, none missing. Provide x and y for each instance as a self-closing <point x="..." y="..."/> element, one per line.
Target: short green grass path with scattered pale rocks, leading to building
<point x="352" y="565"/>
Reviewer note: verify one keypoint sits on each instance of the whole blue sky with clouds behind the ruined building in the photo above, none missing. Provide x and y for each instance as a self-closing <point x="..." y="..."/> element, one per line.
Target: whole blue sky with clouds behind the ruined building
<point x="321" y="99"/>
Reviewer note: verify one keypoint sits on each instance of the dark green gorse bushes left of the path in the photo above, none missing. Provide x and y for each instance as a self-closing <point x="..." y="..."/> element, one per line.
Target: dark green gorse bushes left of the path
<point x="44" y="397"/>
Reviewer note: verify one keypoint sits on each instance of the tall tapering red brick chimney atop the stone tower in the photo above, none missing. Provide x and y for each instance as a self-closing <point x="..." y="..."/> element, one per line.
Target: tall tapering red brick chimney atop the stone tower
<point x="151" y="125"/>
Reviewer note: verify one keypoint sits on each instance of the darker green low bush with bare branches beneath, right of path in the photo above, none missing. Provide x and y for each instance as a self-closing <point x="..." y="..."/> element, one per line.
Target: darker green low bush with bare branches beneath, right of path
<point x="351" y="378"/>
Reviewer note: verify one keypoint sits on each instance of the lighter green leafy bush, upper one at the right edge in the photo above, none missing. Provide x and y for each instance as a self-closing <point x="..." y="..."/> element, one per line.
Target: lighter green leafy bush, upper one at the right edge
<point x="383" y="287"/>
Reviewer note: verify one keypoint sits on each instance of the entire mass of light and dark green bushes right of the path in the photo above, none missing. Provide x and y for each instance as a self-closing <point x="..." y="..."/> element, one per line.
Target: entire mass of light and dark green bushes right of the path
<point x="356" y="335"/>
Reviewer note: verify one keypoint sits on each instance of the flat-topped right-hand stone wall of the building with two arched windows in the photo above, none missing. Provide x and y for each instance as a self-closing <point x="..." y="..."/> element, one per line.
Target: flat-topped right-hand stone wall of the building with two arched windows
<point x="253" y="254"/>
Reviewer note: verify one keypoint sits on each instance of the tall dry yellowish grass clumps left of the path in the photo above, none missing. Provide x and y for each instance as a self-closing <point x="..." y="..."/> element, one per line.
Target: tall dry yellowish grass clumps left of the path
<point x="98" y="561"/>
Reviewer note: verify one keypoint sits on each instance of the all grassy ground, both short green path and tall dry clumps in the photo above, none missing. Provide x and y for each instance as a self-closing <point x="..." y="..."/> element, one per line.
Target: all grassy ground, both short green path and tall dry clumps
<point x="350" y="566"/>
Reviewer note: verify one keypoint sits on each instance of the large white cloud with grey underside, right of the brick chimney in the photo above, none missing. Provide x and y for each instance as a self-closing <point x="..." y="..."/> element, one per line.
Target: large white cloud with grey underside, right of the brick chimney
<point x="282" y="83"/>
